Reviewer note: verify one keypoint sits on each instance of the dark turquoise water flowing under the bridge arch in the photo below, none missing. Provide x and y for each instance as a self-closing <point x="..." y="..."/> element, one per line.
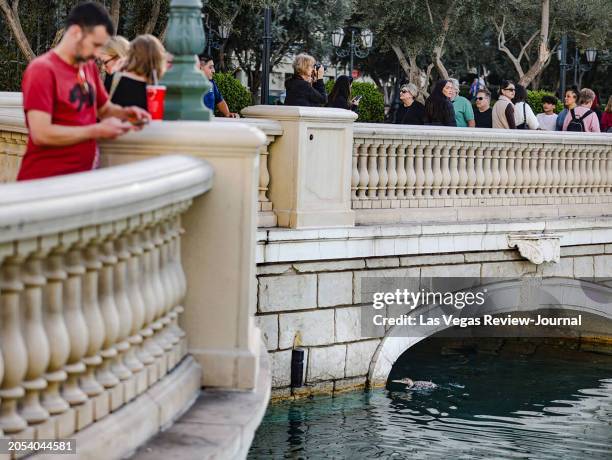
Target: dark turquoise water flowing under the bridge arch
<point x="553" y="404"/>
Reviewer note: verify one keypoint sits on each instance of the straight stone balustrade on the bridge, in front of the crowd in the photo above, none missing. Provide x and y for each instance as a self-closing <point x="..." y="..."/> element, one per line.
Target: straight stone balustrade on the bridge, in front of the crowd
<point x="396" y="167"/>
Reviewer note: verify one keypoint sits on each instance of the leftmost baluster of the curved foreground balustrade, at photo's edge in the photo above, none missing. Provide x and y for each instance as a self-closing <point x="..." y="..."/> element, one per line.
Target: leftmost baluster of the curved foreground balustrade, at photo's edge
<point x="13" y="347"/>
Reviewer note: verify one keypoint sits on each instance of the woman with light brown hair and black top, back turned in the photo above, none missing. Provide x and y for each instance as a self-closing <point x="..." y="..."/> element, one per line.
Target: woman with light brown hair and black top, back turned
<point x="144" y="64"/>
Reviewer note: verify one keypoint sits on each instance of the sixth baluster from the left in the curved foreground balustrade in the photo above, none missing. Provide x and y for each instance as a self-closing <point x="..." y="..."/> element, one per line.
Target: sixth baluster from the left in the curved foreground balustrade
<point x="108" y="308"/>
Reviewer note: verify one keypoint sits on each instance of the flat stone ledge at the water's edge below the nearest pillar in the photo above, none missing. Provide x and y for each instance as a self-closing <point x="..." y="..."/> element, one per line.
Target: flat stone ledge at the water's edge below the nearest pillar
<point x="220" y="425"/>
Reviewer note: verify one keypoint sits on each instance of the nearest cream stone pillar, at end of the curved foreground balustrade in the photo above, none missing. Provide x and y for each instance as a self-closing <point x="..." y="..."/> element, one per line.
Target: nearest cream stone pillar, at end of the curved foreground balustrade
<point x="218" y="247"/>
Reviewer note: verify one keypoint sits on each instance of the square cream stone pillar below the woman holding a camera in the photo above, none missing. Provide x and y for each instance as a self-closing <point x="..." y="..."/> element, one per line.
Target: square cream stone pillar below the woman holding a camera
<point x="310" y="165"/>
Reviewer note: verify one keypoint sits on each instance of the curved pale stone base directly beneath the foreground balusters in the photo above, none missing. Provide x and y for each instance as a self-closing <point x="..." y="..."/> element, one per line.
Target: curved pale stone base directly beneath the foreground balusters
<point x="119" y="434"/>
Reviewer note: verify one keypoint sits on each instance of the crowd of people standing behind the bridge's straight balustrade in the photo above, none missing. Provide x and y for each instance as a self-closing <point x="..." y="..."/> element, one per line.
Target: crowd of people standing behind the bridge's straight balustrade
<point x="446" y="107"/>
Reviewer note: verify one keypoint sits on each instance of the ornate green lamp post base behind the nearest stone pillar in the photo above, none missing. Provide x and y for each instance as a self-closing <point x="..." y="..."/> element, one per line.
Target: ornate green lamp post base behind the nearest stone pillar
<point x="185" y="84"/>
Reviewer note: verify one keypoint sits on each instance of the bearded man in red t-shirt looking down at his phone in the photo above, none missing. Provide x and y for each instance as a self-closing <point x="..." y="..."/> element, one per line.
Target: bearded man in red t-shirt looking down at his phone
<point x="63" y="97"/>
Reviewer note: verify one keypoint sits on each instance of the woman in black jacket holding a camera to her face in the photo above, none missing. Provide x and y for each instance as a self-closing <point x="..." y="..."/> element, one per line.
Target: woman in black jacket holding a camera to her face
<point x="305" y="87"/>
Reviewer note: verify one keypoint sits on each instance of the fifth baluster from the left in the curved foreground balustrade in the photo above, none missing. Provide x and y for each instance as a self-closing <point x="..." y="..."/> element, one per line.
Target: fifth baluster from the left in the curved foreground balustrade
<point x="92" y="313"/>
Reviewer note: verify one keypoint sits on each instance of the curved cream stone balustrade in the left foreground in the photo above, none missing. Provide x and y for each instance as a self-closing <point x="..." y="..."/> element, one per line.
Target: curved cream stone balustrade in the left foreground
<point x="91" y="285"/>
